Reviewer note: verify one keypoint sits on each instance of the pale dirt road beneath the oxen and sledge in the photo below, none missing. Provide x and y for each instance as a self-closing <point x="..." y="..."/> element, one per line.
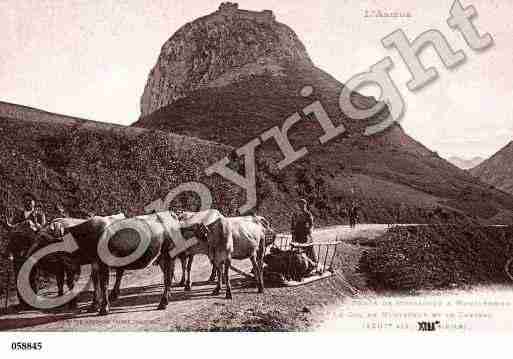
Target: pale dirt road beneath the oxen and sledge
<point x="136" y="309"/>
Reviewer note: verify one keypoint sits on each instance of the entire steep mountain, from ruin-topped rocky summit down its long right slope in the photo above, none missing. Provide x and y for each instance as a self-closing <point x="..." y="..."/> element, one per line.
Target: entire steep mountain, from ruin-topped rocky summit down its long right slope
<point x="393" y="176"/>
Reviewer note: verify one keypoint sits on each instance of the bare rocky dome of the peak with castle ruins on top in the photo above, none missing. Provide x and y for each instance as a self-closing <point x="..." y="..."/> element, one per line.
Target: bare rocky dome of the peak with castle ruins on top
<point x="219" y="49"/>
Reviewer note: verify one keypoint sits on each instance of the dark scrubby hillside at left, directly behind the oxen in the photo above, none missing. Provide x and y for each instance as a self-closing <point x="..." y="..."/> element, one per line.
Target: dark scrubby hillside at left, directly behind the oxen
<point x="99" y="168"/>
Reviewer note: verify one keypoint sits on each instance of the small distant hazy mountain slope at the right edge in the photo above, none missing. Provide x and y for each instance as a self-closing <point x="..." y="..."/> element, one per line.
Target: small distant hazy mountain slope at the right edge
<point x="498" y="169"/>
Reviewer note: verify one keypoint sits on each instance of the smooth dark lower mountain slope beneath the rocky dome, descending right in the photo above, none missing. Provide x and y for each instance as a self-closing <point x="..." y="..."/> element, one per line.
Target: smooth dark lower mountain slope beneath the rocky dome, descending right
<point x="395" y="178"/>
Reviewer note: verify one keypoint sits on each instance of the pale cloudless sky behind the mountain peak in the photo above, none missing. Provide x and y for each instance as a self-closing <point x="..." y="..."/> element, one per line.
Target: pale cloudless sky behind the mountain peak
<point x="91" y="58"/>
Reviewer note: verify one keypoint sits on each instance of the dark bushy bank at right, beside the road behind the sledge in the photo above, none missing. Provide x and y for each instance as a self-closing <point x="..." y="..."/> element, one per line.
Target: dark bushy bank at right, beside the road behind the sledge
<point x="438" y="257"/>
